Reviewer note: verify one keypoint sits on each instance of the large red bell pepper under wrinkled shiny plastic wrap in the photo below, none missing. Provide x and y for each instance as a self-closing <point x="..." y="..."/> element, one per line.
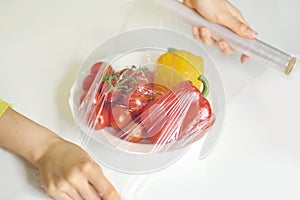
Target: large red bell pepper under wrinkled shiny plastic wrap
<point x="181" y="113"/>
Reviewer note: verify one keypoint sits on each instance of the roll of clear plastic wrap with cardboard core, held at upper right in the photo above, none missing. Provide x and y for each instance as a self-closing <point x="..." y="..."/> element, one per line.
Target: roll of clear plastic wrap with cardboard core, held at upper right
<point x="253" y="48"/>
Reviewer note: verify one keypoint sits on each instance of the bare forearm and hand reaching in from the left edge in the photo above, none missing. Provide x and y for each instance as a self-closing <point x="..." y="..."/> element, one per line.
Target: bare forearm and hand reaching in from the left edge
<point x="67" y="172"/>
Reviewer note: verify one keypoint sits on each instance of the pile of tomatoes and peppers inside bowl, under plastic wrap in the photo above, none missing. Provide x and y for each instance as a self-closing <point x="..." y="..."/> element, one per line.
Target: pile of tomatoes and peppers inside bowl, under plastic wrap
<point x="158" y="104"/>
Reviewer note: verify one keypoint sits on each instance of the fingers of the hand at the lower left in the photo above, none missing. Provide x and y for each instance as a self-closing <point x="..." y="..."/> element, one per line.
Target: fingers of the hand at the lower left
<point x="85" y="182"/>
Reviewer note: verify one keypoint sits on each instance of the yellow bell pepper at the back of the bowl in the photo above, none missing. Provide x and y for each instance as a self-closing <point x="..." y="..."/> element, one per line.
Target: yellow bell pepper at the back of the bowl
<point x="186" y="64"/>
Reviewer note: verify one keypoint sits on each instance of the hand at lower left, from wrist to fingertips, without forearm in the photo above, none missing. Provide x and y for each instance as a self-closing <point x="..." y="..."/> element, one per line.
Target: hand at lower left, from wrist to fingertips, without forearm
<point x="67" y="172"/>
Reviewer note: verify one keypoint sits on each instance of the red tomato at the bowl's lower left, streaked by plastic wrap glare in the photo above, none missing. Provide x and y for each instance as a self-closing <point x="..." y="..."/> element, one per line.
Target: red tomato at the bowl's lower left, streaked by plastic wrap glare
<point x="98" y="118"/>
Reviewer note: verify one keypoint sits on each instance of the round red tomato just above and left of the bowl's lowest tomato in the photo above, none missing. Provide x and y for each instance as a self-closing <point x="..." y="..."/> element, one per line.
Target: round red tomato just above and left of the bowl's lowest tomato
<point x="119" y="116"/>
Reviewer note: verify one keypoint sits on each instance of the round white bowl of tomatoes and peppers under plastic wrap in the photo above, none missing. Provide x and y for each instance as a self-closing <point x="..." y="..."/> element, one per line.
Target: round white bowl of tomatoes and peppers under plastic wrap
<point x="143" y="97"/>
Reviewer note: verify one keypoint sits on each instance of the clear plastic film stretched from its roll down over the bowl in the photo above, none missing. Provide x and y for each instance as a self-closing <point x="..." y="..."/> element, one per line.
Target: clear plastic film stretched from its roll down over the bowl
<point x="143" y="98"/>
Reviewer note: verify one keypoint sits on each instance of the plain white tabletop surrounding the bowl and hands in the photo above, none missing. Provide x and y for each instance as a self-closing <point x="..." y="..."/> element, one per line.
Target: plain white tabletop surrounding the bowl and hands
<point x="42" y="45"/>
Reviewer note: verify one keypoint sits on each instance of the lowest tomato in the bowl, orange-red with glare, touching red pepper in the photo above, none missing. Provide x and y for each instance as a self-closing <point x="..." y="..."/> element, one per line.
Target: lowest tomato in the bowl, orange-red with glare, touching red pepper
<point x="135" y="133"/>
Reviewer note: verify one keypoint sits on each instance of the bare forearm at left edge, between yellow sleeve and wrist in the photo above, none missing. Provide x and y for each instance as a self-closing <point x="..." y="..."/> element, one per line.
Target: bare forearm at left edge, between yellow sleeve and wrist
<point x="24" y="137"/>
